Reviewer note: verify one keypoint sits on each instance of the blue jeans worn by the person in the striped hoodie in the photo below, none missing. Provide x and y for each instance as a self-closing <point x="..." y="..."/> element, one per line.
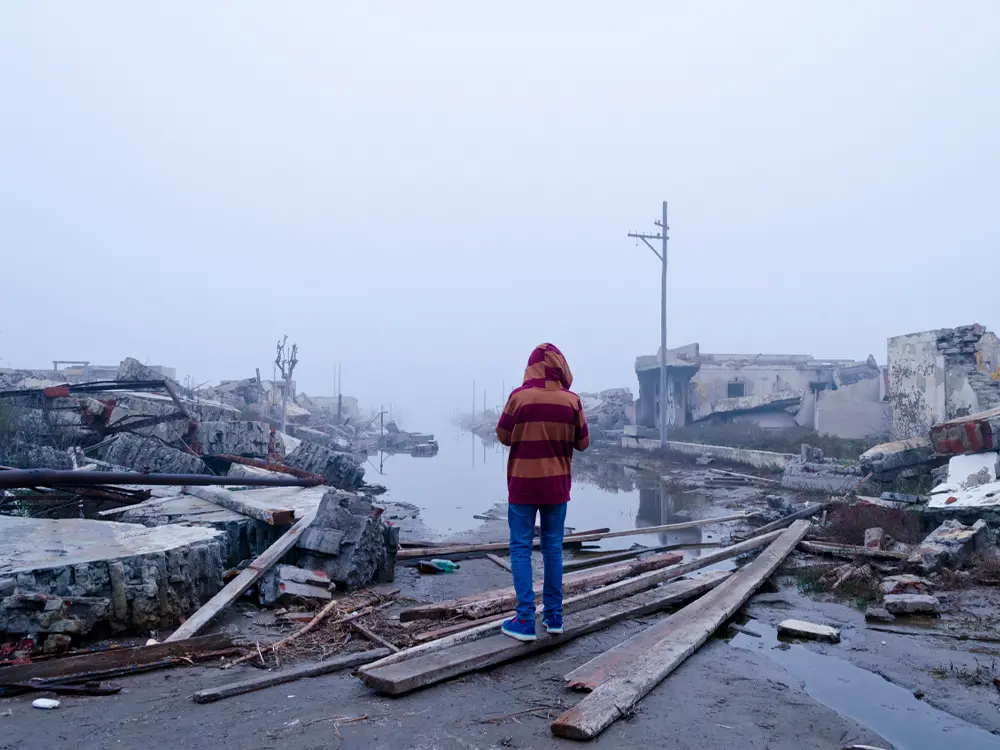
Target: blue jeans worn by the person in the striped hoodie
<point x="521" y="519"/>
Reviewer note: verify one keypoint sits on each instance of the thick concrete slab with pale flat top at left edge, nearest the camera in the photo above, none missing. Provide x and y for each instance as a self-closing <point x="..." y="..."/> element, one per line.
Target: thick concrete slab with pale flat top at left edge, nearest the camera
<point x="73" y="576"/>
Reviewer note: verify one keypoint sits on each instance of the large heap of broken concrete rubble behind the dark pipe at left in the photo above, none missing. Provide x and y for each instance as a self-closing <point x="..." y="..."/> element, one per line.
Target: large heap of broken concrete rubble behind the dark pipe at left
<point x="145" y="421"/>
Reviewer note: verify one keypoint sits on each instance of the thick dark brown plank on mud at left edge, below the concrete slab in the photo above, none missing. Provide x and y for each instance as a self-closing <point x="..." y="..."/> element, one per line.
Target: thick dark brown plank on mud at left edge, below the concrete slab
<point x="114" y="659"/>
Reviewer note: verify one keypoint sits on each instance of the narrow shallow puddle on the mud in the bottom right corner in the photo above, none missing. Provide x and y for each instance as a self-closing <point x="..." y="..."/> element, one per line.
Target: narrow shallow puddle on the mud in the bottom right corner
<point x="871" y="700"/>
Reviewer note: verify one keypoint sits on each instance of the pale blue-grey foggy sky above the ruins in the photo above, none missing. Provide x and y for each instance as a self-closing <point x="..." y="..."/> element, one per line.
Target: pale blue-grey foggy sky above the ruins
<point x="424" y="191"/>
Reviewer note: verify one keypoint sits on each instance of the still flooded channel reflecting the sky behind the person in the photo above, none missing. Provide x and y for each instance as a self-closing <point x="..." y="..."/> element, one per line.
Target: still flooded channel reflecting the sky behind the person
<point x="468" y="478"/>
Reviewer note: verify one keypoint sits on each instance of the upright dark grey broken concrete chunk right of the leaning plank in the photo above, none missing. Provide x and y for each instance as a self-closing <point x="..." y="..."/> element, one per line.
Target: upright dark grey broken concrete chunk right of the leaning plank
<point x="349" y="541"/>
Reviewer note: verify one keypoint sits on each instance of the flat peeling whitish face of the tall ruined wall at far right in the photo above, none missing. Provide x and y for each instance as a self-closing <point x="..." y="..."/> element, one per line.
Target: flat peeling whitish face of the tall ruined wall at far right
<point x="916" y="384"/>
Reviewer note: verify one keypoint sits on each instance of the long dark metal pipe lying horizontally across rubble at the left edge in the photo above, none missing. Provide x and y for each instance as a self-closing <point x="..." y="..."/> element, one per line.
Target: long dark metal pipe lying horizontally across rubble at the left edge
<point x="18" y="478"/>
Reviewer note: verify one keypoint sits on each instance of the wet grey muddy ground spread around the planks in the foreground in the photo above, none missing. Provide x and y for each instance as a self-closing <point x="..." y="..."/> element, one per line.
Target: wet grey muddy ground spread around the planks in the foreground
<point x="886" y="690"/>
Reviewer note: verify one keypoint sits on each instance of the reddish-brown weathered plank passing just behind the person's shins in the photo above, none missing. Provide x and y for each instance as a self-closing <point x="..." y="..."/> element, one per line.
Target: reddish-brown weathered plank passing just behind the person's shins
<point x="500" y="600"/>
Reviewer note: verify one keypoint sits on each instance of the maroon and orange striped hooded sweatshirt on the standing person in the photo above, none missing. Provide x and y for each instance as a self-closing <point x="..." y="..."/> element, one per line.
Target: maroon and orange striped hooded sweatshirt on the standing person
<point x="543" y="422"/>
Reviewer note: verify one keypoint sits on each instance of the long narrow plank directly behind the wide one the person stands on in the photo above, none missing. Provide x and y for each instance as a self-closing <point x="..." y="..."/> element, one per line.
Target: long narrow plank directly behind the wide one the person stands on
<point x="480" y="628"/>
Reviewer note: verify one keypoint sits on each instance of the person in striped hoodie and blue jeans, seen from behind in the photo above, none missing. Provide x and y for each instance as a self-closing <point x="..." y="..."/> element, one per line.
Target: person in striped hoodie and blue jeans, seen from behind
<point x="542" y="423"/>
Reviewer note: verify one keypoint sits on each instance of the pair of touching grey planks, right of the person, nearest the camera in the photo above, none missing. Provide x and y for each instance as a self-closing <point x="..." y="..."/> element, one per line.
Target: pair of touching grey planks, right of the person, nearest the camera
<point x="623" y="675"/>
